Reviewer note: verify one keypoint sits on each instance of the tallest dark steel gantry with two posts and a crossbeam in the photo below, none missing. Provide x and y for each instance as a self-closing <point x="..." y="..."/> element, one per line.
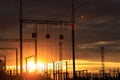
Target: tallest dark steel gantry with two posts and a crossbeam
<point x="72" y="22"/>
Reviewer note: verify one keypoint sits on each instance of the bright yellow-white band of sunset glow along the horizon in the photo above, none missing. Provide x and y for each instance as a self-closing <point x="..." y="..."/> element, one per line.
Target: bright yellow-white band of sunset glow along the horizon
<point x="92" y="66"/>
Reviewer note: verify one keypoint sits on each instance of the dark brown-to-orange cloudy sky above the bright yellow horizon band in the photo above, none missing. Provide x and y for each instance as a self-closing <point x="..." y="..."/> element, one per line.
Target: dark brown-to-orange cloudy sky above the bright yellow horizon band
<point x="97" y="24"/>
